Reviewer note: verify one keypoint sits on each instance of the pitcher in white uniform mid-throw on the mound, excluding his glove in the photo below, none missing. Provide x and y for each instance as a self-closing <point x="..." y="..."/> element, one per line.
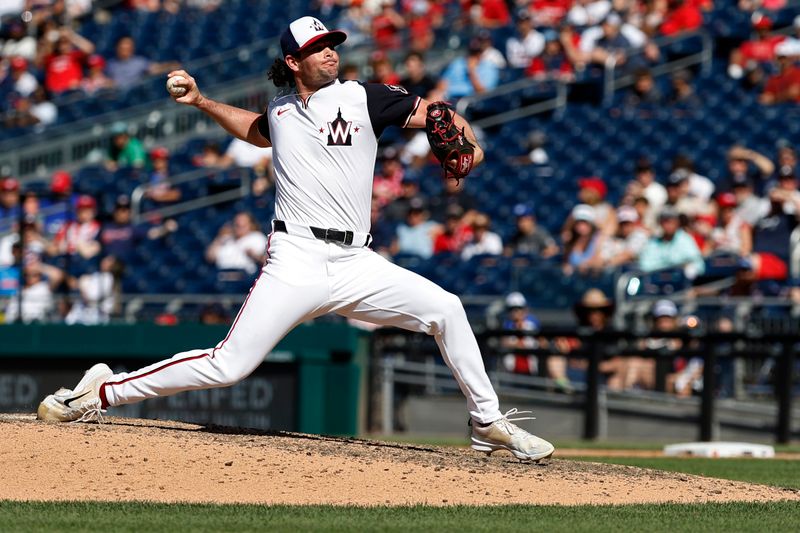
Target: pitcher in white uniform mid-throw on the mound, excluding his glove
<point x="324" y="135"/>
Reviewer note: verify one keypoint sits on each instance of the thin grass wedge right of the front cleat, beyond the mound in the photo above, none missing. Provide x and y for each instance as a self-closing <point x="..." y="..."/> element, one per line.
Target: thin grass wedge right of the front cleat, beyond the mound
<point x="778" y="472"/>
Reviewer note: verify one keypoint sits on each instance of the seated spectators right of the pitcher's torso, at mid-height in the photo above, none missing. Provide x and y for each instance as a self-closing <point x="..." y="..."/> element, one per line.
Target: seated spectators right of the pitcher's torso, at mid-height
<point x="672" y="221"/>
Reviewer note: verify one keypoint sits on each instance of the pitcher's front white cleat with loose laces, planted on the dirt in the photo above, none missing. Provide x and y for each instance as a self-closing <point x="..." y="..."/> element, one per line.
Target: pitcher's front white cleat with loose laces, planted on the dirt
<point x="502" y="434"/>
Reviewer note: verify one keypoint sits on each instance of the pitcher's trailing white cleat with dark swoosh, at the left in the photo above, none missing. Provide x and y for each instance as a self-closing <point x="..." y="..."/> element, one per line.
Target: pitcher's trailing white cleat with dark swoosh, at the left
<point x="81" y="404"/>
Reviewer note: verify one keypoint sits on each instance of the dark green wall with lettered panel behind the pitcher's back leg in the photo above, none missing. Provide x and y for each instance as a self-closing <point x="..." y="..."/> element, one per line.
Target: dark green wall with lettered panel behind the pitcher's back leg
<point x="311" y="382"/>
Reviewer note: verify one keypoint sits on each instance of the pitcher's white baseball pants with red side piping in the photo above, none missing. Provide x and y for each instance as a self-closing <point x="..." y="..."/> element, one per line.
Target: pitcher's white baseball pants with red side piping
<point x="304" y="278"/>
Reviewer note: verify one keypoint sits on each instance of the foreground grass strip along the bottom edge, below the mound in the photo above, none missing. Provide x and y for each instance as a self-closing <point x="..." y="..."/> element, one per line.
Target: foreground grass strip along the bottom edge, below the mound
<point x="154" y="518"/>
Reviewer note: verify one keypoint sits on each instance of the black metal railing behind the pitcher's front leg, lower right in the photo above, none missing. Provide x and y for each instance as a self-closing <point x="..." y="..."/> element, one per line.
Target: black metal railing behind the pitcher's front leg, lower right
<point x="592" y="397"/>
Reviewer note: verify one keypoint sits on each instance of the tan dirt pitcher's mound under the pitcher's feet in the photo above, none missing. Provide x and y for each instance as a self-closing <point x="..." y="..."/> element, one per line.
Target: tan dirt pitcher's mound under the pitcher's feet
<point x="172" y="462"/>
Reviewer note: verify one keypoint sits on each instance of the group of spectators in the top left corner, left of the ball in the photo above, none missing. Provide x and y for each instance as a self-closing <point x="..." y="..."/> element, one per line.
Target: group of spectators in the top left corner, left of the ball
<point x="43" y="57"/>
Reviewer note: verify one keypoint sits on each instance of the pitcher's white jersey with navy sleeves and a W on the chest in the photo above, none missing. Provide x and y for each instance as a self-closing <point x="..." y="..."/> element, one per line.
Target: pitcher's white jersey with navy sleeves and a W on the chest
<point x="324" y="150"/>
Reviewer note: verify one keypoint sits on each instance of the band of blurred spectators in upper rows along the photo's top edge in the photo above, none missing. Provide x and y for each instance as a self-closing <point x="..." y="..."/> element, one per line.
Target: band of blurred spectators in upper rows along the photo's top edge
<point x="43" y="55"/>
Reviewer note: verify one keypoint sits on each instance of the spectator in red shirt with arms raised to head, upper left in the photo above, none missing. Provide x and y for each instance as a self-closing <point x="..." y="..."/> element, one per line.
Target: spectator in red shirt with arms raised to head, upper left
<point x="64" y="64"/>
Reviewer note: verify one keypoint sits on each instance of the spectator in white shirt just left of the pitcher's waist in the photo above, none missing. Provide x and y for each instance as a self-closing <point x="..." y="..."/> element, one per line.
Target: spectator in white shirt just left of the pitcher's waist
<point x="238" y="245"/>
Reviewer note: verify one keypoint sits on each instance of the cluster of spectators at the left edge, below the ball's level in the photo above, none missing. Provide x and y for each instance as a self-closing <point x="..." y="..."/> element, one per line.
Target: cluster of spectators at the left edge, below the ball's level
<point x="64" y="246"/>
